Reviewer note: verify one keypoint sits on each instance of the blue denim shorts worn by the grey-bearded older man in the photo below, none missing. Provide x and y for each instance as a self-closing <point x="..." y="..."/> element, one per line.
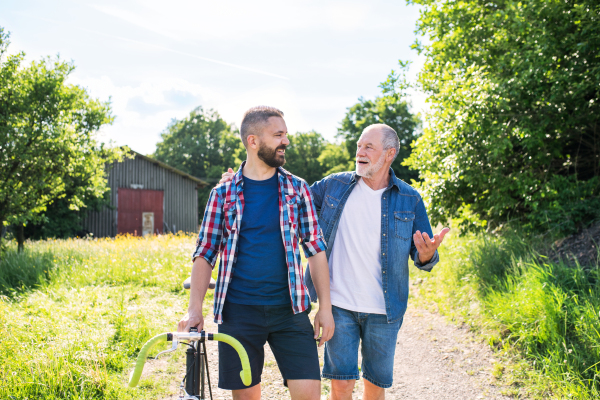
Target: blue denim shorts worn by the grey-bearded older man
<point x="378" y="347"/>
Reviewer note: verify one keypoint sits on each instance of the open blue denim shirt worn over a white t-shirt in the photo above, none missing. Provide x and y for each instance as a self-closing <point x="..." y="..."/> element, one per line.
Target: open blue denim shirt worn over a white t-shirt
<point x="402" y="214"/>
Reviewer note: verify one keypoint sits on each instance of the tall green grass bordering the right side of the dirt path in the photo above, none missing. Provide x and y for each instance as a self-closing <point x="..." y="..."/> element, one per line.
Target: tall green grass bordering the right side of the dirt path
<point x="542" y="316"/>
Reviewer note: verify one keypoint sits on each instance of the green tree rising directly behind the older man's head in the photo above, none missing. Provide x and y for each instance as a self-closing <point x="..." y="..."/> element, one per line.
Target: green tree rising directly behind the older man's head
<point x="390" y="109"/>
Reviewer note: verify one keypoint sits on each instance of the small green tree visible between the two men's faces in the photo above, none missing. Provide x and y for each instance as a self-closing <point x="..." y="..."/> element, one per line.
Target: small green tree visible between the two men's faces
<point x="302" y="155"/>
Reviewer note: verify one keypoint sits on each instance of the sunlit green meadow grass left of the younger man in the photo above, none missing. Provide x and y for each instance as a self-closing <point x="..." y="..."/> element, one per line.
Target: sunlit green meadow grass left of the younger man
<point x="74" y="314"/>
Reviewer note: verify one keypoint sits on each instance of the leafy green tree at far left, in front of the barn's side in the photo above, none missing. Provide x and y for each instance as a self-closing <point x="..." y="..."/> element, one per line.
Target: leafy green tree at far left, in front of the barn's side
<point x="47" y="132"/>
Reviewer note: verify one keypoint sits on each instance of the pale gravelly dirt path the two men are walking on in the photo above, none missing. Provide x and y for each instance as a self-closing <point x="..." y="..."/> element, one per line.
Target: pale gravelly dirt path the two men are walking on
<point x="434" y="360"/>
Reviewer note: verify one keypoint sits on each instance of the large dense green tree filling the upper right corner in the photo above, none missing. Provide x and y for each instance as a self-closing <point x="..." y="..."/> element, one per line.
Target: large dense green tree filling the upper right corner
<point x="514" y="131"/>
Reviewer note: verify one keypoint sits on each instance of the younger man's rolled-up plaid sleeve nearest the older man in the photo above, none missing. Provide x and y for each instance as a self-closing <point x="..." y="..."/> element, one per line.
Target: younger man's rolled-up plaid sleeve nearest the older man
<point x="310" y="231"/>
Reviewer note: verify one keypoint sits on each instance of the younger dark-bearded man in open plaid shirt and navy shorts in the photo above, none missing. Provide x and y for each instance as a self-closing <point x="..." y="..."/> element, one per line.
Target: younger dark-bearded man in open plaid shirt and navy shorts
<point x="257" y="222"/>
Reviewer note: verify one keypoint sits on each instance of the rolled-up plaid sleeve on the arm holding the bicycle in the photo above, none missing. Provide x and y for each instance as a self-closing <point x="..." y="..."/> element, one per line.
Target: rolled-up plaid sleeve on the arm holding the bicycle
<point x="209" y="240"/>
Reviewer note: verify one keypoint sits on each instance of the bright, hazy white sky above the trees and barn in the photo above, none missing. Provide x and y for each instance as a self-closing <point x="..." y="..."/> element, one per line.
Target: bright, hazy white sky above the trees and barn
<point x="156" y="61"/>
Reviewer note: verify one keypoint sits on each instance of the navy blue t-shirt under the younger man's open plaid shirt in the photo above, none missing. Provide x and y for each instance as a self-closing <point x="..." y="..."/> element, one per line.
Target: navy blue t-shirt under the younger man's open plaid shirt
<point x="260" y="274"/>
